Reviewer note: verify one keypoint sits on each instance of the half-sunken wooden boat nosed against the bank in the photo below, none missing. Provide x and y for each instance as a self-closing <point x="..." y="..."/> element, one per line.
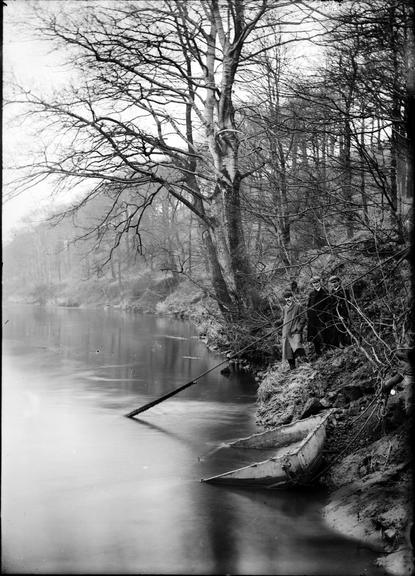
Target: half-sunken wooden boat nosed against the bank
<point x="296" y="454"/>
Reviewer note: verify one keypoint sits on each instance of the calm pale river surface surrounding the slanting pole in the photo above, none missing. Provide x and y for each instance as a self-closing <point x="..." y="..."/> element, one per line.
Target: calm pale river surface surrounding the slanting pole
<point x="85" y="490"/>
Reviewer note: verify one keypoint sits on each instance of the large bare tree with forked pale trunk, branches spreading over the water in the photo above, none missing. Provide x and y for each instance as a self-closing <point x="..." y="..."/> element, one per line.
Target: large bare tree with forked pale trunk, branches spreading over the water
<point x="153" y="103"/>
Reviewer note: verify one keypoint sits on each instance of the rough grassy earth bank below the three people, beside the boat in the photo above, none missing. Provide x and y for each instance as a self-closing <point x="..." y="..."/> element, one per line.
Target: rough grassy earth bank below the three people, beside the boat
<point x="367" y="458"/>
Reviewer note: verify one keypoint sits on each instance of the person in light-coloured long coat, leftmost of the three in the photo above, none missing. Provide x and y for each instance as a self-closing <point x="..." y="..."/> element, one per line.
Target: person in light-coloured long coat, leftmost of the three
<point x="292" y="330"/>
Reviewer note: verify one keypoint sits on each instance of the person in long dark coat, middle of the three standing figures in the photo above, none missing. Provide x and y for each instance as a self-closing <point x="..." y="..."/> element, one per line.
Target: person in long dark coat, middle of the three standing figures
<point x="318" y="316"/>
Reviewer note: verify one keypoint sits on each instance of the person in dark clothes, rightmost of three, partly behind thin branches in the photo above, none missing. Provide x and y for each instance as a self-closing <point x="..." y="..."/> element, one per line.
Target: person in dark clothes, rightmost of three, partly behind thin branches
<point x="339" y="303"/>
